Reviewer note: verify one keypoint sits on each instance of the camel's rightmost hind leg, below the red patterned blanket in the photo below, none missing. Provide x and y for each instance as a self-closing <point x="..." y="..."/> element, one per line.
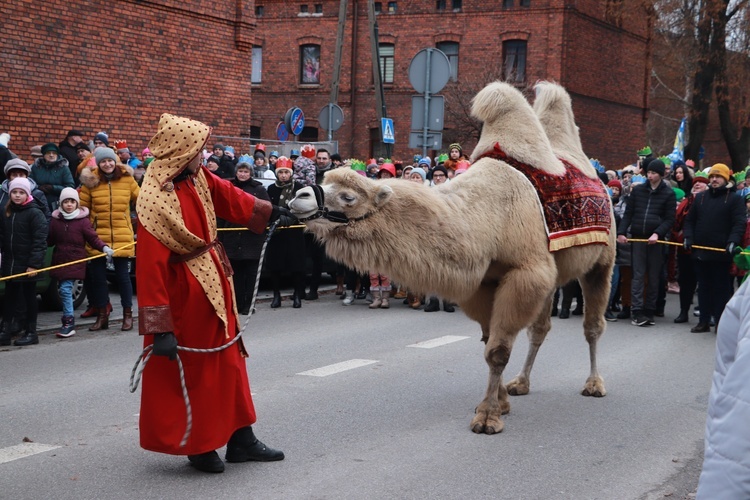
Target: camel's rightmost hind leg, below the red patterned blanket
<point x="595" y="285"/>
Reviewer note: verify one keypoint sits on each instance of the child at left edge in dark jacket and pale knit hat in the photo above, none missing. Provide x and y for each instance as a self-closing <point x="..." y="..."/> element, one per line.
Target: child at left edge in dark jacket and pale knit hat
<point x="23" y="233"/>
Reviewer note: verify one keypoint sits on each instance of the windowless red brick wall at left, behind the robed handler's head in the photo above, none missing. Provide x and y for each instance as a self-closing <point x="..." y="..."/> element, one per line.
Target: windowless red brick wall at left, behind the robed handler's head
<point x="116" y="66"/>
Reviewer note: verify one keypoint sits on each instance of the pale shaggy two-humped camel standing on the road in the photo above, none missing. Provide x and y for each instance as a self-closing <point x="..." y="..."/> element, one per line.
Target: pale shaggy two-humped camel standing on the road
<point x="479" y="240"/>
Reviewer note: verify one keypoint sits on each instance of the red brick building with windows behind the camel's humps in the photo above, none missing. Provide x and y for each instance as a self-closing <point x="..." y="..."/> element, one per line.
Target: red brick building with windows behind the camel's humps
<point x="597" y="49"/>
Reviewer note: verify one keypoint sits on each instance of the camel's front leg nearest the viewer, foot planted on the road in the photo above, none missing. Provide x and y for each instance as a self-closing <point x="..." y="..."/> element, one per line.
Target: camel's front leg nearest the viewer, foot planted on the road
<point x="520" y="296"/>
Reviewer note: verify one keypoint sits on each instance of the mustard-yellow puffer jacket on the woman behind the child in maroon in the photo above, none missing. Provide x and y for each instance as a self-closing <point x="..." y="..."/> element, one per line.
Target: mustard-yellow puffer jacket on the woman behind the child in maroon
<point x="109" y="203"/>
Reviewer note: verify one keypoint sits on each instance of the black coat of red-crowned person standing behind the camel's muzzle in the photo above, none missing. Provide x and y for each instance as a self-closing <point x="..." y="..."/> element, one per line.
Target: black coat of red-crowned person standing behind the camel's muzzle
<point x="285" y="253"/>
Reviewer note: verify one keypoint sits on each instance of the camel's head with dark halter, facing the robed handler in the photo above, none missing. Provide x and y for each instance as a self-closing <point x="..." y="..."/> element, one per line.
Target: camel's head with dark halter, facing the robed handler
<point x="344" y="197"/>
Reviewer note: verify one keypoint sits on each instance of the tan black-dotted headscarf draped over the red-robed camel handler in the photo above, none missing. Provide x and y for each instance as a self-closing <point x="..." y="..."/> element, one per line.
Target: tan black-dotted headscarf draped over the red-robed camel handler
<point x="177" y="142"/>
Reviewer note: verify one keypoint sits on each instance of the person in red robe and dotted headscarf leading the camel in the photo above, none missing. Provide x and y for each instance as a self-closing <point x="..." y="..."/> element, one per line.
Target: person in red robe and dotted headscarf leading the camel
<point x="186" y="298"/>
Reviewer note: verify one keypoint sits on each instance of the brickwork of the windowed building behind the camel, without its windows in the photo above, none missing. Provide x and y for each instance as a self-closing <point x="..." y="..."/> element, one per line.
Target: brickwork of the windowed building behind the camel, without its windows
<point x="564" y="45"/>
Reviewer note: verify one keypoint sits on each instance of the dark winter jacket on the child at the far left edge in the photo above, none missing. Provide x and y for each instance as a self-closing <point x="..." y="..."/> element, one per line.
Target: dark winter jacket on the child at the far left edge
<point x="24" y="240"/>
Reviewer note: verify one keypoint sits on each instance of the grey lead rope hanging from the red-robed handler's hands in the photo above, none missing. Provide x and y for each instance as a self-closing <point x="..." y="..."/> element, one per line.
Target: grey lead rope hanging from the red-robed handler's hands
<point x="135" y="374"/>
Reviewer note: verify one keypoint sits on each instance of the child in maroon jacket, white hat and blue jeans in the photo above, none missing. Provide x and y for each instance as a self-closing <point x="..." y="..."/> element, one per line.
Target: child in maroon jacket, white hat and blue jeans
<point x="69" y="231"/>
